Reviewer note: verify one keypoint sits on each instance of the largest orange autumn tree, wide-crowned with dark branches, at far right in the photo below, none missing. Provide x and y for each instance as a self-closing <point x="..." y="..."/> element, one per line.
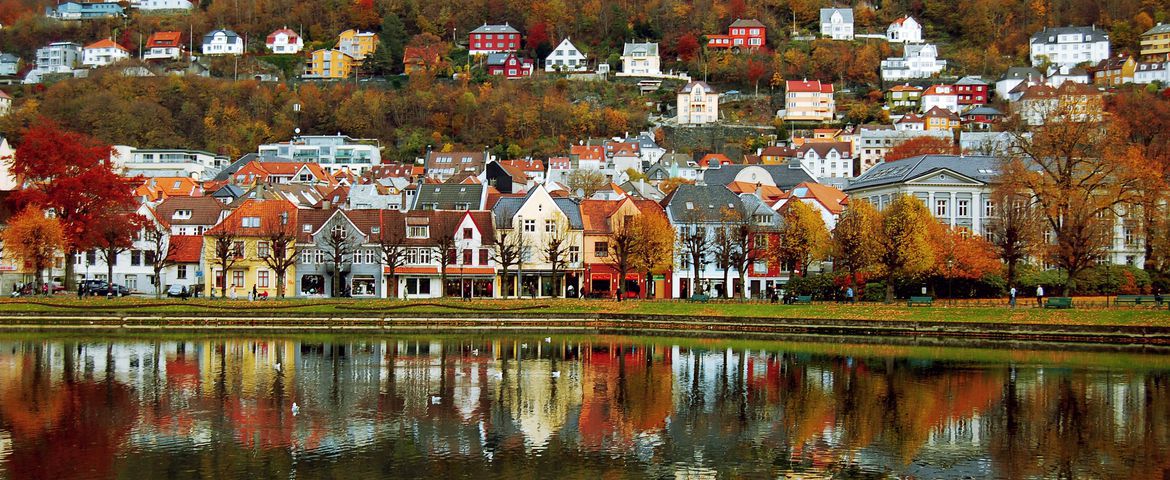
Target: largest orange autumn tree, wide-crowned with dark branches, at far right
<point x="1080" y="179"/>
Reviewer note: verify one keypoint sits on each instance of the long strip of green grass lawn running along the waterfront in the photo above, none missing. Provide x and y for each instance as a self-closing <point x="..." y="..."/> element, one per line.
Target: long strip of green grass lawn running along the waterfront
<point x="1138" y="317"/>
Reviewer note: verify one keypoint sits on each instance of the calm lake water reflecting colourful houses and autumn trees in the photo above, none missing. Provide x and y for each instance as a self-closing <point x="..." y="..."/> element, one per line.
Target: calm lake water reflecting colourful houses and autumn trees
<point x="505" y="408"/>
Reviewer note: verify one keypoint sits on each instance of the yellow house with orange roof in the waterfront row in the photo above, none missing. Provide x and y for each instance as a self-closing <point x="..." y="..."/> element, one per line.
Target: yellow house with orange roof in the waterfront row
<point x="244" y="241"/>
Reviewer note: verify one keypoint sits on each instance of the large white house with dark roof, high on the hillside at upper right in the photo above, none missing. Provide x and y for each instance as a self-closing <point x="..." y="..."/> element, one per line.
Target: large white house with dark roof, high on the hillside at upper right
<point x="1069" y="47"/>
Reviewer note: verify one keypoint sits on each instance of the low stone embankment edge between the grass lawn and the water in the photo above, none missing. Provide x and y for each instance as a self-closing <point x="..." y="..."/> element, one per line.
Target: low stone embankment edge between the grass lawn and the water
<point x="526" y="323"/>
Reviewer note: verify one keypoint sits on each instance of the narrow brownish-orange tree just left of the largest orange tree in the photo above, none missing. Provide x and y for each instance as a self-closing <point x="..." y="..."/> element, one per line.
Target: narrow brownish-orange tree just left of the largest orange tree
<point x="1016" y="225"/>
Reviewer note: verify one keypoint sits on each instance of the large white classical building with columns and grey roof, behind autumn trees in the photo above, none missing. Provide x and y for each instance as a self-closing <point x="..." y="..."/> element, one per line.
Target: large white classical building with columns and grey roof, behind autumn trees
<point x="958" y="191"/>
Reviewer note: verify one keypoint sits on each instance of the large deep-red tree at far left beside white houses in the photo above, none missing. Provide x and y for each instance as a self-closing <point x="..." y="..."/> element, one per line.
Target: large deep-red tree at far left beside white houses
<point x="72" y="175"/>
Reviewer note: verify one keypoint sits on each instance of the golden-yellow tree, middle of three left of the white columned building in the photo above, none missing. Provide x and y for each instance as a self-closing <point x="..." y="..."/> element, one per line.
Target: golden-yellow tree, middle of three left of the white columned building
<point x="855" y="239"/>
